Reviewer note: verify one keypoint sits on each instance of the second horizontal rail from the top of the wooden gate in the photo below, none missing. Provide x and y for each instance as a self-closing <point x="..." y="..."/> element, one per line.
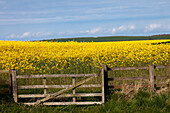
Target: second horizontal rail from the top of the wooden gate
<point x="56" y="86"/>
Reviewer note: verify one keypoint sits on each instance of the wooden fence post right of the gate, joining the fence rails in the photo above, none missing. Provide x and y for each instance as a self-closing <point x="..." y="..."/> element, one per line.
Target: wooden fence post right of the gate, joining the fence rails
<point x="151" y="77"/>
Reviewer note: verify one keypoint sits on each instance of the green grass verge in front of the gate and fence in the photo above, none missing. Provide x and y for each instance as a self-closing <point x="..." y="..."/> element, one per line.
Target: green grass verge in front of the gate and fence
<point x="118" y="103"/>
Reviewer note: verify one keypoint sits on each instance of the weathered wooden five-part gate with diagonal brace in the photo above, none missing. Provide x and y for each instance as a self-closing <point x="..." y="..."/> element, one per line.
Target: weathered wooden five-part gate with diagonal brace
<point x="45" y="97"/>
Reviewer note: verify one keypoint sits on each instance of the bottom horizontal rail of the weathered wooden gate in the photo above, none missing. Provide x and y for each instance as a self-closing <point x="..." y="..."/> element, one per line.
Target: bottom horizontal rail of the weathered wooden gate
<point x="65" y="103"/>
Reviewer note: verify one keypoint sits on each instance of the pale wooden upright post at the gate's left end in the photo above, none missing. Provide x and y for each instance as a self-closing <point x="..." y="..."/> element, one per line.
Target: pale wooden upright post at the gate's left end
<point x="14" y="85"/>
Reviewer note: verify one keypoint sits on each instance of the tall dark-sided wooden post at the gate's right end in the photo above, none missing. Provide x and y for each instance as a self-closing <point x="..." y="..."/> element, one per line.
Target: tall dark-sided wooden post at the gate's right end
<point x="104" y="83"/>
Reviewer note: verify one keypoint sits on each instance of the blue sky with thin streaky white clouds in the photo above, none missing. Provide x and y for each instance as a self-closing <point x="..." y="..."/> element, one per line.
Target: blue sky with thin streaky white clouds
<point x="47" y="19"/>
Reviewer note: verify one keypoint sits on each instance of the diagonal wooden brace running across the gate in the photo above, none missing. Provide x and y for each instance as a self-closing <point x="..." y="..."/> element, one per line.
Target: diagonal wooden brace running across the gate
<point x="64" y="90"/>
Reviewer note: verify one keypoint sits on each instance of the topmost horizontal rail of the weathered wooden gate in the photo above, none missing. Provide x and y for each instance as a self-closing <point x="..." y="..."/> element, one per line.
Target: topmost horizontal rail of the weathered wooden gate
<point x="56" y="75"/>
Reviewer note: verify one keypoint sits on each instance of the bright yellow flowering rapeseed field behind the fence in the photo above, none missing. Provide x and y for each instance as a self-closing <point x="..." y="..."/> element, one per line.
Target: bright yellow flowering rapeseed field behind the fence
<point x="41" y="57"/>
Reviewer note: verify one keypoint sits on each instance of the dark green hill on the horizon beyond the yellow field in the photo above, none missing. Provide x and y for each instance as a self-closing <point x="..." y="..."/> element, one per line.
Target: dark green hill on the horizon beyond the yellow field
<point x="109" y="38"/>
